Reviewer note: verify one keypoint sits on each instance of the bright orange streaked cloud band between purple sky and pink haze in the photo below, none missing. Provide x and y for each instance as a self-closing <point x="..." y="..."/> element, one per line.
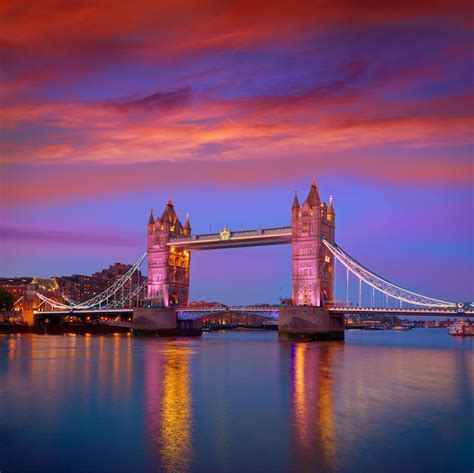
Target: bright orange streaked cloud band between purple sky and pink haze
<point x="330" y="118"/>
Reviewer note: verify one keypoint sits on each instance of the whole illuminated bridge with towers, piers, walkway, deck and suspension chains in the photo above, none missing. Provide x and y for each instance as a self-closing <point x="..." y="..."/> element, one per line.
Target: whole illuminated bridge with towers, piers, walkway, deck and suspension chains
<point x="163" y="300"/>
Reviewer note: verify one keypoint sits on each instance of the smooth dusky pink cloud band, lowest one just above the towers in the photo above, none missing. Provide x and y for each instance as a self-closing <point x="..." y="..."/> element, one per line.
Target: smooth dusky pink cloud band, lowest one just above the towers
<point x="24" y="185"/>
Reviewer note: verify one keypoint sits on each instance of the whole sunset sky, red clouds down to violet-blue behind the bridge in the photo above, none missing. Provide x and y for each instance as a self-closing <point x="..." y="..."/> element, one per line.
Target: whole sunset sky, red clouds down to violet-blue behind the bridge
<point x="109" y="108"/>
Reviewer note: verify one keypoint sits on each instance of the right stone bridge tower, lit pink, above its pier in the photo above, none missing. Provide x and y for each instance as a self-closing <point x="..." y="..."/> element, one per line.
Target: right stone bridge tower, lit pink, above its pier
<point x="313" y="266"/>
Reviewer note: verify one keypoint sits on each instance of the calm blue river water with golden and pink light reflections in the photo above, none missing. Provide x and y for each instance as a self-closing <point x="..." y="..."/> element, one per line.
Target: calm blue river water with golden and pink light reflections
<point x="233" y="401"/>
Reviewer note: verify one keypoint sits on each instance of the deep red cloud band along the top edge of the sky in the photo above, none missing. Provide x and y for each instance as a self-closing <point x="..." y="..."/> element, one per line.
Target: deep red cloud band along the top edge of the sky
<point x="80" y="37"/>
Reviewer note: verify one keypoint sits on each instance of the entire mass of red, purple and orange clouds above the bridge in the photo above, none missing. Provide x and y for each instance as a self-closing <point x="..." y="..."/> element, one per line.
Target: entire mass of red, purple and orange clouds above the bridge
<point x="103" y="89"/>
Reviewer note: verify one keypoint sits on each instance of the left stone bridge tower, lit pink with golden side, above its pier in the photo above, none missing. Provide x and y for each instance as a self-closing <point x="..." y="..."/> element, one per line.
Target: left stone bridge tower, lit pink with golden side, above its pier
<point x="168" y="267"/>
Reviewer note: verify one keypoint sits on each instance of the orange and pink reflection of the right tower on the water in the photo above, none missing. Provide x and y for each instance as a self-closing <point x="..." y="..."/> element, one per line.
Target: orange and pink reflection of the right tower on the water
<point x="313" y="405"/>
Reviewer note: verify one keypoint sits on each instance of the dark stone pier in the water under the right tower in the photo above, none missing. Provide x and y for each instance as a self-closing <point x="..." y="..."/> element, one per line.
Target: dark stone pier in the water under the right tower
<point x="309" y="323"/>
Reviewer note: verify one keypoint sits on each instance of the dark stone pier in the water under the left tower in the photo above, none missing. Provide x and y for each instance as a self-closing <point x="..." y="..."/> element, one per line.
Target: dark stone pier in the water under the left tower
<point x="162" y="322"/>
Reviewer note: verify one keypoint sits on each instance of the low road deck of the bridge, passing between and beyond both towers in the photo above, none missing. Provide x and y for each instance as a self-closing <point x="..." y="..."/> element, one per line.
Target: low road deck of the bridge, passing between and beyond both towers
<point x="271" y="312"/>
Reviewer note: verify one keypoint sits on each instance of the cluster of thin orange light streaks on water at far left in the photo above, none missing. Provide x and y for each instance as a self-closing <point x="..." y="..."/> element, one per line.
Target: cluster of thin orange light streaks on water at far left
<point x="73" y="363"/>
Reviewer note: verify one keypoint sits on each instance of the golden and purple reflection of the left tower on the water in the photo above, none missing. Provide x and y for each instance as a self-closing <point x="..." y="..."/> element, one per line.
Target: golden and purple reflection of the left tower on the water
<point x="169" y="402"/>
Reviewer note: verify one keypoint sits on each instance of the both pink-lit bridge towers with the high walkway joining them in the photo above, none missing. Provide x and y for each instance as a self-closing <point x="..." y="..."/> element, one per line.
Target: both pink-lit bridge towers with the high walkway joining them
<point x="170" y="245"/>
